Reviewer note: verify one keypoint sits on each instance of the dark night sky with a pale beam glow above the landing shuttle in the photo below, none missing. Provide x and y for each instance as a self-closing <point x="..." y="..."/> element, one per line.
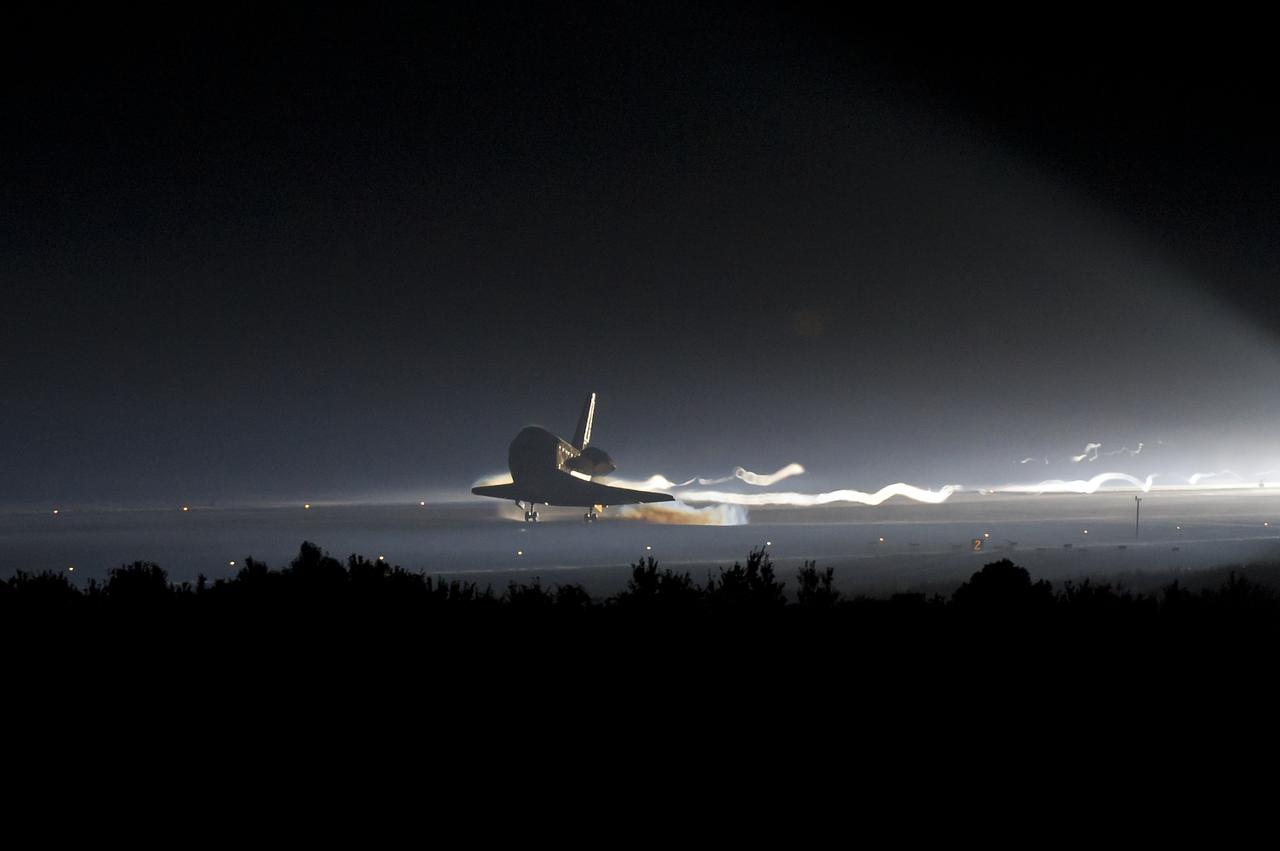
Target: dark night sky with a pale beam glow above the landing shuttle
<point x="333" y="254"/>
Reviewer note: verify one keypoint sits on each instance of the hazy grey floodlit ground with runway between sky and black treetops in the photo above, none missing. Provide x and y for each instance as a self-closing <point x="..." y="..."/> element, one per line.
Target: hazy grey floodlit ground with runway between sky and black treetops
<point x="899" y="546"/>
